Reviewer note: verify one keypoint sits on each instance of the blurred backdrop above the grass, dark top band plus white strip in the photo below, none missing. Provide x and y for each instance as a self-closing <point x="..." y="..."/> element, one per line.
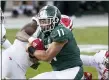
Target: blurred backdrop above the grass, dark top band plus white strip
<point x="83" y="13"/>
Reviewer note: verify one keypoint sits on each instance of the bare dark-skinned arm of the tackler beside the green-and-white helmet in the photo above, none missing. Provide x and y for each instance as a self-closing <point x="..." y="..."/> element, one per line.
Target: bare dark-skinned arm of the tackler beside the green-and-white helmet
<point x="27" y="31"/>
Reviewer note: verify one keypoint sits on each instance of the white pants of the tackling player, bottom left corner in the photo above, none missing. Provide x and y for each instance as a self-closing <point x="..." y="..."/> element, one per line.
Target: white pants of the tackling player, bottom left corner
<point x="10" y="69"/>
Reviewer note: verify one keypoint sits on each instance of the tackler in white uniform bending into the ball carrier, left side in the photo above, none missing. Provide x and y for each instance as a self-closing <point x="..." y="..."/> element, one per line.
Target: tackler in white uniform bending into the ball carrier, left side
<point x="15" y="59"/>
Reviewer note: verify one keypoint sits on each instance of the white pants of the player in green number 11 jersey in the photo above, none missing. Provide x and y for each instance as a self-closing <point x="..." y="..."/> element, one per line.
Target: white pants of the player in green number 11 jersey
<point x="64" y="74"/>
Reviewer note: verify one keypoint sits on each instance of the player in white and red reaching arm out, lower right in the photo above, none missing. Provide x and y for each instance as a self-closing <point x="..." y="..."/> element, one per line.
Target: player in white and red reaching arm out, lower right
<point x="100" y="62"/>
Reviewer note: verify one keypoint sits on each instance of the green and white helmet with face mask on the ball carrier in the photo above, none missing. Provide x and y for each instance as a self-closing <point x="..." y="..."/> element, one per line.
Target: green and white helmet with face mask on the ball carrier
<point x="48" y="17"/>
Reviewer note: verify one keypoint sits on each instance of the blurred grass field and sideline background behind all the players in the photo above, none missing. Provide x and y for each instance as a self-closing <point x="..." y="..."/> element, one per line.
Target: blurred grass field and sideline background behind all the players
<point x="90" y="23"/>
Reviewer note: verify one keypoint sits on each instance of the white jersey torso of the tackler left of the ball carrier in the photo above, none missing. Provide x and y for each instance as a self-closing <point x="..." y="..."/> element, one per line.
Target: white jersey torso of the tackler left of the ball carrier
<point x="17" y="52"/>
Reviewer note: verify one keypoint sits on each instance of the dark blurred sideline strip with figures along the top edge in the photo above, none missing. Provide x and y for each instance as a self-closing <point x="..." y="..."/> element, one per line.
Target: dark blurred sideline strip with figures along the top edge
<point x="69" y="8"/>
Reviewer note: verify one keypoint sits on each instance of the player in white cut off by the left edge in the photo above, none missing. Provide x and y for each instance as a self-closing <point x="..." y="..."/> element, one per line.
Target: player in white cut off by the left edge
<point x="3" y="40"/>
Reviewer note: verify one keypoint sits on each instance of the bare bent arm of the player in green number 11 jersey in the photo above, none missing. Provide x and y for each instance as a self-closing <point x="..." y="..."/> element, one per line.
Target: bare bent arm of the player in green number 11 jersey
<point x="51" y="52"/>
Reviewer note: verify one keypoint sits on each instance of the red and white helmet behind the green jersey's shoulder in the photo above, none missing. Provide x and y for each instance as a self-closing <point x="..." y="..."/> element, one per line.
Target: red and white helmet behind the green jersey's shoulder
<point x="67" y="22"/>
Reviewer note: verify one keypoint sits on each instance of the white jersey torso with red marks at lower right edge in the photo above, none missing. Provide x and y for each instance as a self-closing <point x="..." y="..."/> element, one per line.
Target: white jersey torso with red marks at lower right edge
<point x="100" y="58"/>
